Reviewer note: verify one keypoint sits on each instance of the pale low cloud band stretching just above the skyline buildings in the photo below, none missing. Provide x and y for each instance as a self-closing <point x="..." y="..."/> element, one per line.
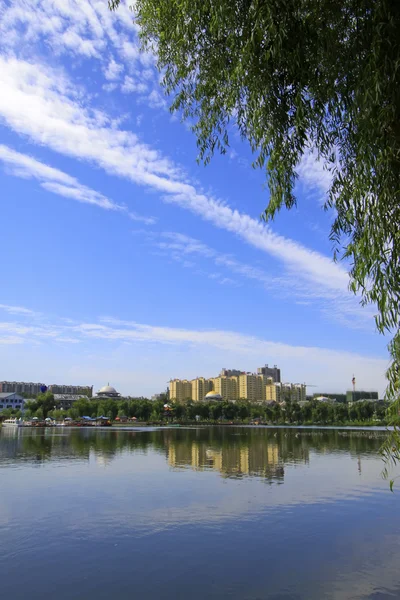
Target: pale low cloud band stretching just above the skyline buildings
<point x="330" y="369"/>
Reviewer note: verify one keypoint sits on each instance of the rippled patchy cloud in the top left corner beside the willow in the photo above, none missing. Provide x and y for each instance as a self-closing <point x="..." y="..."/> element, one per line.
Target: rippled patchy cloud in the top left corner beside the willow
<point x="85" y="30"/>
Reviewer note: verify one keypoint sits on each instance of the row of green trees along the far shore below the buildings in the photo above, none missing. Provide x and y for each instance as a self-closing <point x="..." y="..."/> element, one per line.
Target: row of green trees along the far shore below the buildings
<point x="145" y="410"/>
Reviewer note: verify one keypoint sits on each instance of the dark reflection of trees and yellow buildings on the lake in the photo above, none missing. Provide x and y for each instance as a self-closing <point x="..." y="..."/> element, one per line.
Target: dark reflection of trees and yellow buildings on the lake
<point x="233" y="452"/>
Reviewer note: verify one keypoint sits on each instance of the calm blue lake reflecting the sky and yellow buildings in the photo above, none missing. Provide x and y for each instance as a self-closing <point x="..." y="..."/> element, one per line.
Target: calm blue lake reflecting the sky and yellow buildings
<point x="246" y="513"/>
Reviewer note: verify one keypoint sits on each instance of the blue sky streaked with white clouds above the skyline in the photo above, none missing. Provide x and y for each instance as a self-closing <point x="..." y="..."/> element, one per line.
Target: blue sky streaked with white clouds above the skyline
<point x="125" y="261"/>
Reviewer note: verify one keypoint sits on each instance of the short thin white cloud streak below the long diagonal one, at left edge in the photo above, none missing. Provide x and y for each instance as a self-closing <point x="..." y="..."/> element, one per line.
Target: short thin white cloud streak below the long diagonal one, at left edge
<point x="60" y="183"/>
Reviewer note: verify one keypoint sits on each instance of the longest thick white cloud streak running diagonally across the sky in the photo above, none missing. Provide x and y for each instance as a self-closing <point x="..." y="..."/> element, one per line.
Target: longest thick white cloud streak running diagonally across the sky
<point x="58" y="121"/>
